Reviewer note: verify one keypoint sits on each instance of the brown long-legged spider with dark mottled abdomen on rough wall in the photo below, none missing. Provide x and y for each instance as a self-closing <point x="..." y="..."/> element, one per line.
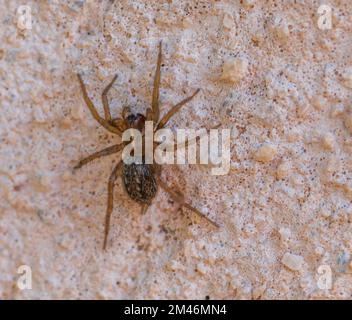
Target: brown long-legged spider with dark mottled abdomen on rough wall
<point x="140" y="180"/>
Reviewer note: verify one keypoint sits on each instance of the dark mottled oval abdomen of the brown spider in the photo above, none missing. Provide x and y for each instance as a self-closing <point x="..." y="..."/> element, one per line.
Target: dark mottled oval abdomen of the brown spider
<point x="139" y="182"/>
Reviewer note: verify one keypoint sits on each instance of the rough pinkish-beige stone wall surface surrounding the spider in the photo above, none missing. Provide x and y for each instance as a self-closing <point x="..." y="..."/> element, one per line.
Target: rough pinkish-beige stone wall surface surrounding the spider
<point x="292" y="90"/>
